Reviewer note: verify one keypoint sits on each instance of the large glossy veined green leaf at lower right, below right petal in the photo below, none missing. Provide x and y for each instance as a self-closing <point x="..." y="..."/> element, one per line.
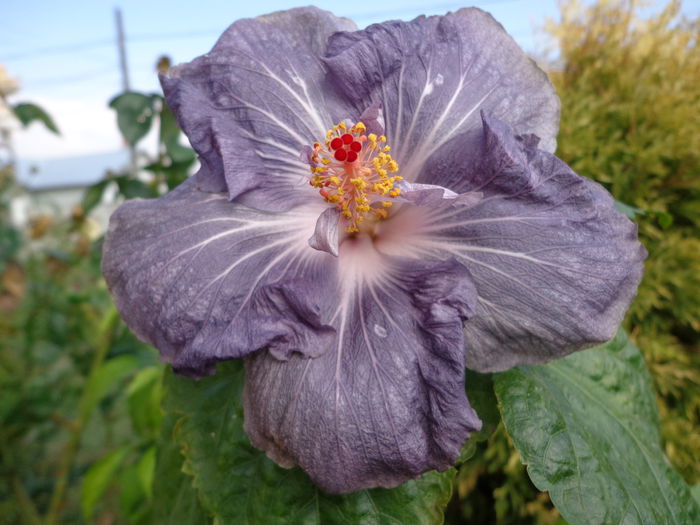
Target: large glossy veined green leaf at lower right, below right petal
<point x="588" y="429"/>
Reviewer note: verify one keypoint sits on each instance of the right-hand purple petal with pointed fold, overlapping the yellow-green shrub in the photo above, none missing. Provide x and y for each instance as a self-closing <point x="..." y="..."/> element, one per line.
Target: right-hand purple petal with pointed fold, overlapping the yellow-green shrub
<point x="555" y="265"/>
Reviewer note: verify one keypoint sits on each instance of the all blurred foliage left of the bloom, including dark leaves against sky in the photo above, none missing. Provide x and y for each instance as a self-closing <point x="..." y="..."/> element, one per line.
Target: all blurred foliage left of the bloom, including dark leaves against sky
<point x="80" y="397"/>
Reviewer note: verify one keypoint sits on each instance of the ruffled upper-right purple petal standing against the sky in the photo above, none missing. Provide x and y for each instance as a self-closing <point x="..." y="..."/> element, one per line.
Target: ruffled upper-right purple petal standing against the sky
<point x="433" y="75"/>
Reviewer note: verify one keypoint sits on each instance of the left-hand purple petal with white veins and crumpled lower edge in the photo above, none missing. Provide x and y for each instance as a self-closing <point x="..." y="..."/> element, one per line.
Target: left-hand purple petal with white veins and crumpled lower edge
<point x="203" y="279"/>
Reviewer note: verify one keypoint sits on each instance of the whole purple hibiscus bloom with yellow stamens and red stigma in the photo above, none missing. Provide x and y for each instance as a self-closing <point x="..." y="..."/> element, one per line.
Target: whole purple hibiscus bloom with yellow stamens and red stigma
<point x="375" y="210"/>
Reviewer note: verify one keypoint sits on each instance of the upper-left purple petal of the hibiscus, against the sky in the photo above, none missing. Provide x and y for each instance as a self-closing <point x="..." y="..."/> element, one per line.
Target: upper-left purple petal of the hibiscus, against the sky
<point x="252" y="103"/>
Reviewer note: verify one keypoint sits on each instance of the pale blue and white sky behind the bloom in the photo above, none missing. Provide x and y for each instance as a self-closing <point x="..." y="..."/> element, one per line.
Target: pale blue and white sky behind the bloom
<point x="65" y="53"/>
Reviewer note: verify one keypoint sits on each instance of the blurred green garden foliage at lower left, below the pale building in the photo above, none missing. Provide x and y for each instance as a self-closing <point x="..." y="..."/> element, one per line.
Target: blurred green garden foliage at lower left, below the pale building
<point x="74" y="384"/>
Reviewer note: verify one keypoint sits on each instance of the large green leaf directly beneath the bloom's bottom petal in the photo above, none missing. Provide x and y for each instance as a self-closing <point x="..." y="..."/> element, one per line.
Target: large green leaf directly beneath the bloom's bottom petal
<point x="238" y="484"/>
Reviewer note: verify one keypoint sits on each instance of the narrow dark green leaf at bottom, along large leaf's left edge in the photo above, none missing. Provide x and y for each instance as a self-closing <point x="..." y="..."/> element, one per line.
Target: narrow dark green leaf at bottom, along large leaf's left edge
<point x="175" y="500"/>
